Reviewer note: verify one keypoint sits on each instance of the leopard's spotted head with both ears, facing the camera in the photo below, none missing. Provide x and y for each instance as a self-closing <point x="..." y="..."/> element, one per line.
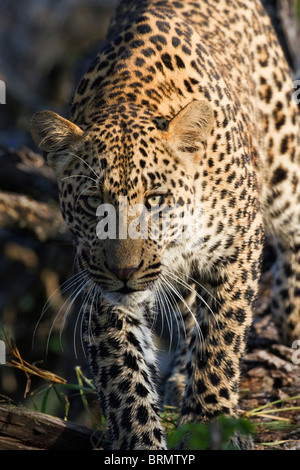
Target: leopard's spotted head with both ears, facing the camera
<point x="127" y="188"/>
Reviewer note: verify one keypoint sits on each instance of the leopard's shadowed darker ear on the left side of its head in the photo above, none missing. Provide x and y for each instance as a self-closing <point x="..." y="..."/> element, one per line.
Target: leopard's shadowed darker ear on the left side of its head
<point x="56" y="136"/>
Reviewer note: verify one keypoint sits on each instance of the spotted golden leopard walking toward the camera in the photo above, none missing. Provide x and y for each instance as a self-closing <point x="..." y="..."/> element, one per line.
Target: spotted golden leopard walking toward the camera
<point x="187" y="110"/>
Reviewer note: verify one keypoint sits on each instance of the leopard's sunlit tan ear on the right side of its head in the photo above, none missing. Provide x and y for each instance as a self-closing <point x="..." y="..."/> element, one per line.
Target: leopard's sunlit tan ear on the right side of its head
<point x="190" y="128"/>
